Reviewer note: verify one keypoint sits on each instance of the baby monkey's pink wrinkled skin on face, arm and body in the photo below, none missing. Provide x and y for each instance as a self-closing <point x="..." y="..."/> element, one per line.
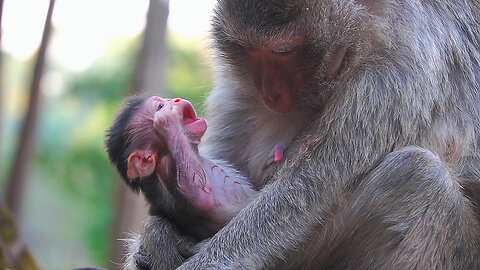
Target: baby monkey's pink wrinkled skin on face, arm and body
<point x="166" y="132"/>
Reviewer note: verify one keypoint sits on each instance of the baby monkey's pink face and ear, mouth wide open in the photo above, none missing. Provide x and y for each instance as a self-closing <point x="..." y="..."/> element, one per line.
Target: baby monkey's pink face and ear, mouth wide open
<point x="152" y="128"/>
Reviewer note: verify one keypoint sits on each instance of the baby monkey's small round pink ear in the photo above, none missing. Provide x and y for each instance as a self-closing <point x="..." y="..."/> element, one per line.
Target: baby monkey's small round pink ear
<point x="141" y="163"/>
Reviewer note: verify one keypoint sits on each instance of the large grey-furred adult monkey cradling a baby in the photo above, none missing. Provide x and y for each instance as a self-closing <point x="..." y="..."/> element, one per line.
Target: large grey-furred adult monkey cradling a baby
<point x="390" y="83"/>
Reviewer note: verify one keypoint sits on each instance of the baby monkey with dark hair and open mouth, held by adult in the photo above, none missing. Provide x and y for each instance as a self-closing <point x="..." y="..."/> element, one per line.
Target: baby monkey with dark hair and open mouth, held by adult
<point x="154" y="144"/>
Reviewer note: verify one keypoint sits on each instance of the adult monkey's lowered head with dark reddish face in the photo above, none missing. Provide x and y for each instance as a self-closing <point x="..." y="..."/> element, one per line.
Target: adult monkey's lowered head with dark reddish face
<point x="288" y="52"/>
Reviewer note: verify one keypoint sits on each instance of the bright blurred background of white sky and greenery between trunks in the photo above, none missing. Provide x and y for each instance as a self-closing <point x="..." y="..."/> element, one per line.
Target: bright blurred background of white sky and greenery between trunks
<point x="69" y="204"/>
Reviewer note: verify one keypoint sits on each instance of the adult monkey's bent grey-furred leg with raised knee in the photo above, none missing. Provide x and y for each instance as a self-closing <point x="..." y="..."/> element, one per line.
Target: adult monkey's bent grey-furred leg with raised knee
<point x="408" y="213"/>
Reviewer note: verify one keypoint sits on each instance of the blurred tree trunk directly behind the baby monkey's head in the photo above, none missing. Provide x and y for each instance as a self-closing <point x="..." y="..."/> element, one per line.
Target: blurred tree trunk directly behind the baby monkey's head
<point x="149" y="76"/>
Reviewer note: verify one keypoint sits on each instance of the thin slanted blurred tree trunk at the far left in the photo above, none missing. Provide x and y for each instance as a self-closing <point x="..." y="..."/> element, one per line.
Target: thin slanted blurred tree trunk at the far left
<point x="18" y="173"/>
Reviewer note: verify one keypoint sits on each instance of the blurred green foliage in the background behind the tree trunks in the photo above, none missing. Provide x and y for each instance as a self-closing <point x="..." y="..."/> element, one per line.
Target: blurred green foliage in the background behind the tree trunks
<point x="70" y="201"/>
